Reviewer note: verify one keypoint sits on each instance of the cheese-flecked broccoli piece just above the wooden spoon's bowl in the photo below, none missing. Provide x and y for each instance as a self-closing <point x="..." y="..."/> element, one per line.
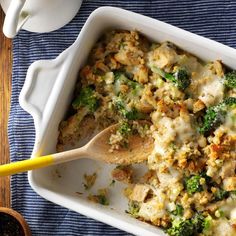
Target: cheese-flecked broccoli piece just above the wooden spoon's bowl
<point x="129" y="113"/>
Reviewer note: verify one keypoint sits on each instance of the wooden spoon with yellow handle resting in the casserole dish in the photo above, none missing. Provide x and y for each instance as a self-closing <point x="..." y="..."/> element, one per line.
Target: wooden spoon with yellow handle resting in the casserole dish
<point x="98" y="148"/>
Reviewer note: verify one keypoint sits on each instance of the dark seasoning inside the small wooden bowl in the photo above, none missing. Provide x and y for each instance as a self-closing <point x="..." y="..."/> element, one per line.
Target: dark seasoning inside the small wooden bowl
<point x="9" y="226"/>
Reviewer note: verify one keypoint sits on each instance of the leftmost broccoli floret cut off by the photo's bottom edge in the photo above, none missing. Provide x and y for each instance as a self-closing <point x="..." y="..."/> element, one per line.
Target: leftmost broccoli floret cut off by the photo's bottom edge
<point x="181" y="227"/>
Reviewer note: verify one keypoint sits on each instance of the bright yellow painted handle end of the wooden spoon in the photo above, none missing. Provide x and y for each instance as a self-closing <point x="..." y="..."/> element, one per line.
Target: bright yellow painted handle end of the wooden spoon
<point x="30" y="164"/>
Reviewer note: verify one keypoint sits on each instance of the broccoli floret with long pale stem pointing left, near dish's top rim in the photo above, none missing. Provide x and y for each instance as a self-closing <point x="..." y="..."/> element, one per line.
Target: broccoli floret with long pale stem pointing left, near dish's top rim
<point x="180" y="78"/>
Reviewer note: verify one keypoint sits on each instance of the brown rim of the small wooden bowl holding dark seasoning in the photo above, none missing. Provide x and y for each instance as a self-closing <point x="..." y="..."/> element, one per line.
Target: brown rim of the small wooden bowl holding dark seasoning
<point x="20" y="219"/>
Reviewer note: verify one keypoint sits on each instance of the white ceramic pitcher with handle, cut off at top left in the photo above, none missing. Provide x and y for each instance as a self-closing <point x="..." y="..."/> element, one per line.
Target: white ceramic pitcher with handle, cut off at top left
<point x="37" y="15"/>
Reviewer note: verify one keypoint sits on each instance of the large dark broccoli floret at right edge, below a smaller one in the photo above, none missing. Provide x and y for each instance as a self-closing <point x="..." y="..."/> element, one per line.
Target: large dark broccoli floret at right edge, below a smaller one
<point x="215" y="115"/>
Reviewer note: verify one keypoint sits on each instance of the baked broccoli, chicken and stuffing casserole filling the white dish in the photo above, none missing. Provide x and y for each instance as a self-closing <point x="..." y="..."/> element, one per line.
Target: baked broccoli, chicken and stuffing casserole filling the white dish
<point x="190" y="186"/>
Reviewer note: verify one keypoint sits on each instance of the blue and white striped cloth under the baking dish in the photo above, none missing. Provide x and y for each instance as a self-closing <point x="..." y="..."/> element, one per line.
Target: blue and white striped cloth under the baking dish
<point x="211" y="18"/>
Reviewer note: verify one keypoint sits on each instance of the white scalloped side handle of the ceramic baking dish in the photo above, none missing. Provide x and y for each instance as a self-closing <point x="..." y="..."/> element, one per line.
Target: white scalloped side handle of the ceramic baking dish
<point x="43" y="83"/>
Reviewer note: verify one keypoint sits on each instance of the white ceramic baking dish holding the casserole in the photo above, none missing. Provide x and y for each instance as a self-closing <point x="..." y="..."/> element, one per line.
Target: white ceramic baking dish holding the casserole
<point x="47" y="93"/>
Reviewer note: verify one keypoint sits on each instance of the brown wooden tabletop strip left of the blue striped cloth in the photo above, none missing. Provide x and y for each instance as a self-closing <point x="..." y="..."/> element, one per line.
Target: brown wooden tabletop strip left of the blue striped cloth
<point x="5" y="94"/>
